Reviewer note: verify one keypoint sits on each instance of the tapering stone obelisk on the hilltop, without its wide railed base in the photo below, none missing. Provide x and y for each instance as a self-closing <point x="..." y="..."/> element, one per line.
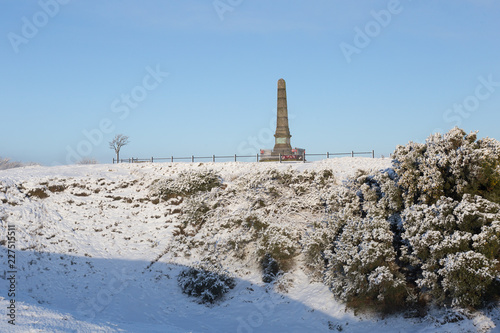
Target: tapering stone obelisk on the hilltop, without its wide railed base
<point x="282" y="135"/>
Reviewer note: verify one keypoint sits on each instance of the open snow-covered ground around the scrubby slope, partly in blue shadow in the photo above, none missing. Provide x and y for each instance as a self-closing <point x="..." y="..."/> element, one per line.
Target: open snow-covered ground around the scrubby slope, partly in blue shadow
<point x="93" y="253"/>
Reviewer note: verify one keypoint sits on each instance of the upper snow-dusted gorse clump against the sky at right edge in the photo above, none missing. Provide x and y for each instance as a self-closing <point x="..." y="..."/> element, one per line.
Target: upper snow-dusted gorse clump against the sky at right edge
<point x="449" y="165"/>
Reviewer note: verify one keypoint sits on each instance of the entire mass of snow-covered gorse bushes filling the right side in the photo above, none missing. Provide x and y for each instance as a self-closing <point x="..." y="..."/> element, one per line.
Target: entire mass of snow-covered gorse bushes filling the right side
<point x="427" y="229"/>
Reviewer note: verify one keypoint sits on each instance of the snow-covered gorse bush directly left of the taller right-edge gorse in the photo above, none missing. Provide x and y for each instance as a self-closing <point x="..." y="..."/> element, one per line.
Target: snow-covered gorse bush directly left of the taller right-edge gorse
<point x="356" y="242"/>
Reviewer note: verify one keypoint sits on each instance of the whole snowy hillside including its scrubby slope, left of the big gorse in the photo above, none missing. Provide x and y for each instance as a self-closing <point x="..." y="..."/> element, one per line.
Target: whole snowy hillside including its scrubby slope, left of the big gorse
<point x="98" y="248"/>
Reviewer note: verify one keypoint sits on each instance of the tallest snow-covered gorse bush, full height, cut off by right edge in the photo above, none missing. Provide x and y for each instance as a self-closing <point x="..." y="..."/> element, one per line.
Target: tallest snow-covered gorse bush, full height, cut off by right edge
<point x="451" y="234"/>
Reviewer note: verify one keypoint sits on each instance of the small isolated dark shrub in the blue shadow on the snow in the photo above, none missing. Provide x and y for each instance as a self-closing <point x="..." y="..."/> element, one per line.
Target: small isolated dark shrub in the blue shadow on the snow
<point x="207" y="281"/>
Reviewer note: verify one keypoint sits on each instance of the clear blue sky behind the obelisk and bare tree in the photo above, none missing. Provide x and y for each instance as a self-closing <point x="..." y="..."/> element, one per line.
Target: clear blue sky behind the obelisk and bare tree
<point x="360" y="75"/>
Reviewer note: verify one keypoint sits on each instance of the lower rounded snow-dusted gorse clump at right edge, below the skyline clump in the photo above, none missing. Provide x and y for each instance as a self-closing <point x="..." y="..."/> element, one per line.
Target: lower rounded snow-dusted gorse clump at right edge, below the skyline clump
<point x="453" y="247"/>
